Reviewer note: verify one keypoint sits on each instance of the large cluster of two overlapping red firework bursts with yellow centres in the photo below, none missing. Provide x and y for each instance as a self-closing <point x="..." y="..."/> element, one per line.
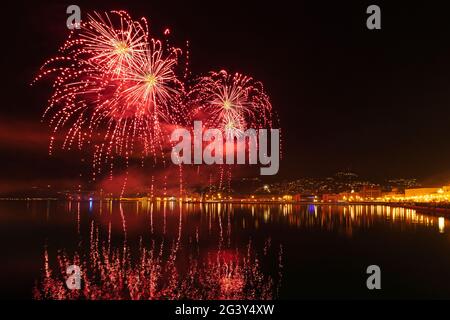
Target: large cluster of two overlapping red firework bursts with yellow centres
<point x="112" y="81"/>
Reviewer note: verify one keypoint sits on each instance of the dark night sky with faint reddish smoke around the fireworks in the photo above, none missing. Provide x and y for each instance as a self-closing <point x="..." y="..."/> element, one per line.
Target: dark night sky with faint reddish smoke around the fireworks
<point x="377" y="102"/>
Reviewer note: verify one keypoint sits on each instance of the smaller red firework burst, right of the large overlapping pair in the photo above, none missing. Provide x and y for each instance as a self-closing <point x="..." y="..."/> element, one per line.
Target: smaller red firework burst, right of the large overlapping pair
<point x="232" y="103"/>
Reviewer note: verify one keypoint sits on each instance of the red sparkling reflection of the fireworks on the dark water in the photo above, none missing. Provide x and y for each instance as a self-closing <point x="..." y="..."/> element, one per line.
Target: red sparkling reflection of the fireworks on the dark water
<point x="167" y="267"/>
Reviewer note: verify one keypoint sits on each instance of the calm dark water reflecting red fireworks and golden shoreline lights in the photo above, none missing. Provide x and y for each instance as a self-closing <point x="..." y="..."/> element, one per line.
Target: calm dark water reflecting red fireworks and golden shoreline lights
<point x="142" y="250"/>
